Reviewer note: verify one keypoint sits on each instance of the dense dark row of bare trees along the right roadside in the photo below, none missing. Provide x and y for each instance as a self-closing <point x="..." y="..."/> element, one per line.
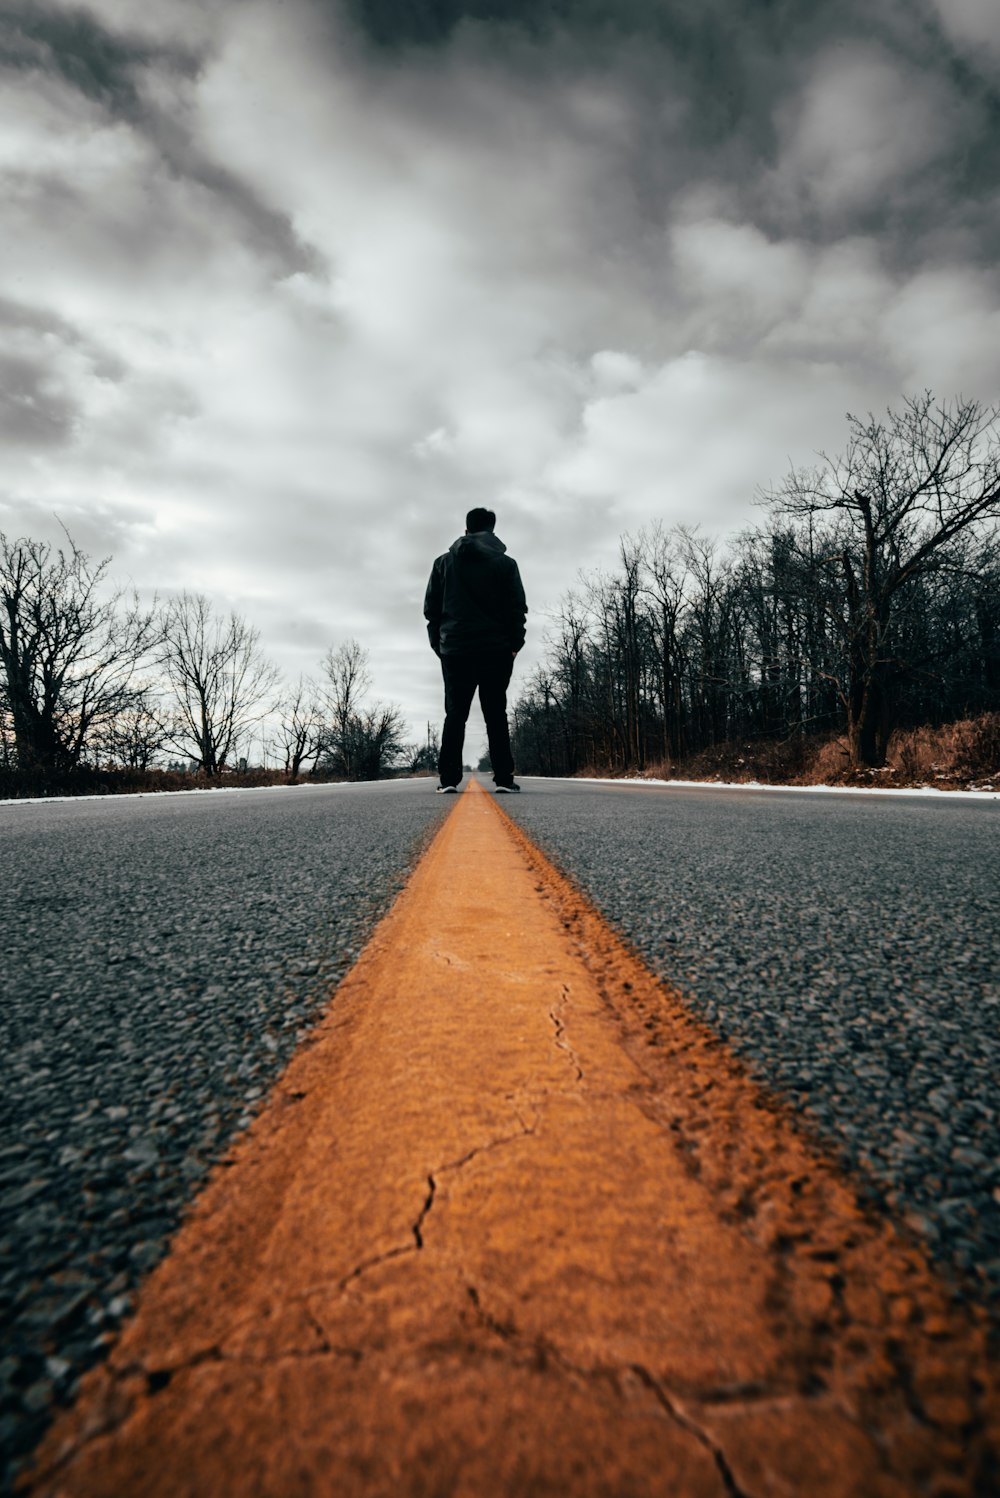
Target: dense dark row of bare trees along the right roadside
<point x="869" y="600"/>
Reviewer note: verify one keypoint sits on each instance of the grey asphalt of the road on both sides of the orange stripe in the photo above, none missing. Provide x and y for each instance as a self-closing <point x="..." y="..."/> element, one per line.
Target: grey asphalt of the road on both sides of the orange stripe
<point x="162" y="958"/>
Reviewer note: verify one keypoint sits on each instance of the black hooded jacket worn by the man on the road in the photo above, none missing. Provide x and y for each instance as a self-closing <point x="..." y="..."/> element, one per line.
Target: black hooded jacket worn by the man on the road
<point x="475" y="600"/>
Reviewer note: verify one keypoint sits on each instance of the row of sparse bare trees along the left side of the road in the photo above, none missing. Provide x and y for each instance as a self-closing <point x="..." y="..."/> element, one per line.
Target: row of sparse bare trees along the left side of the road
<point x="92" y="678"/>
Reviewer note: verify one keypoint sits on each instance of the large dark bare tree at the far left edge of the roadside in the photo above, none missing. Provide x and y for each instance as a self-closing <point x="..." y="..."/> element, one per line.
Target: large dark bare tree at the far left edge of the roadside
<point x="70" y="648"/>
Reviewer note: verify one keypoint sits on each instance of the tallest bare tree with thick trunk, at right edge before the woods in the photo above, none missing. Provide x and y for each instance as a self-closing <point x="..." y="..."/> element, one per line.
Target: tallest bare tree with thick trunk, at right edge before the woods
<point x="894" y="501"/>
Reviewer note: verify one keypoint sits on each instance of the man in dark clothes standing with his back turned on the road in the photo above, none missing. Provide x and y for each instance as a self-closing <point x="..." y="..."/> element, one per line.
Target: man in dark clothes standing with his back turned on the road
<point x="475" y="616"/>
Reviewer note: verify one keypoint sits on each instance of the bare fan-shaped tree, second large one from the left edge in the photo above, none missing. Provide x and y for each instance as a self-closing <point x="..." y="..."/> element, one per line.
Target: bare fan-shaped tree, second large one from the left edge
<point x="219" y="679"/>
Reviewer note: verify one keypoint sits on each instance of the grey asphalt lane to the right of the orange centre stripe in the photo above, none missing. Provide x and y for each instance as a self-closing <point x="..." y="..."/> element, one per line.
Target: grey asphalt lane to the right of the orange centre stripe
<point x="848" y="947"/>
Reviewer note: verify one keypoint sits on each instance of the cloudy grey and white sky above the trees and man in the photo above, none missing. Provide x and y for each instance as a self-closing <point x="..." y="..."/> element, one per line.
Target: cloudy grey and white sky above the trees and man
<point x="288" y="285"/>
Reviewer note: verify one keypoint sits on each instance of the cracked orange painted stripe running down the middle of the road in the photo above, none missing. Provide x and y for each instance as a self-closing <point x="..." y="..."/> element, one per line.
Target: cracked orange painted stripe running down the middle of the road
<point x="513" y="1225"/>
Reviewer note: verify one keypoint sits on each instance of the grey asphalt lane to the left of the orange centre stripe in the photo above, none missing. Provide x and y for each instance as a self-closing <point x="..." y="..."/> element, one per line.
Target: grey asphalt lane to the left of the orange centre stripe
<point x="162" y="958"/>
